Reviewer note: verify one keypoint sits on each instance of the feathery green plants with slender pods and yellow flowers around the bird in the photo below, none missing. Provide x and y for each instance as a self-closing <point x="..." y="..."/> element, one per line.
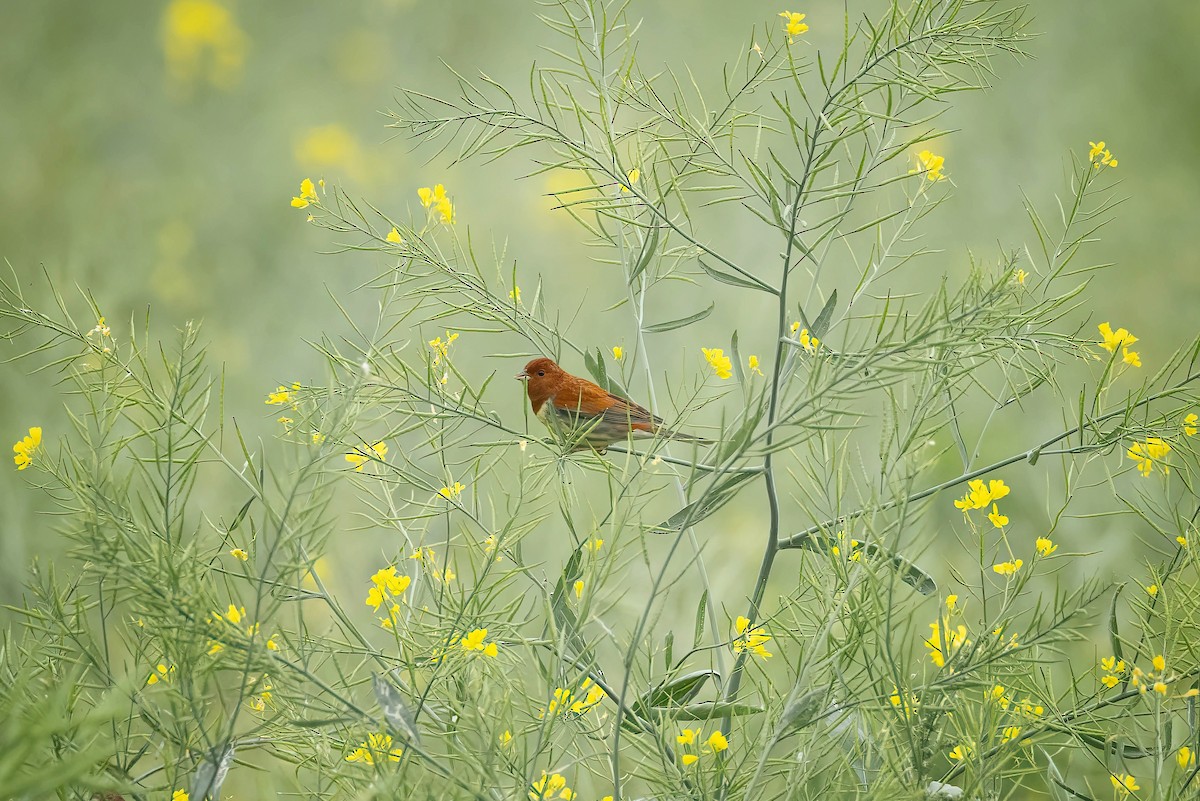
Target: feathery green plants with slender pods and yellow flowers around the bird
<point x="195" y="637"/>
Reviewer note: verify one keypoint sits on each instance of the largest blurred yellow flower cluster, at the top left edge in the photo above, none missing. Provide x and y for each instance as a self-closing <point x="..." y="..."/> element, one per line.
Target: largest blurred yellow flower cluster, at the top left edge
<point x="202" y="40"/>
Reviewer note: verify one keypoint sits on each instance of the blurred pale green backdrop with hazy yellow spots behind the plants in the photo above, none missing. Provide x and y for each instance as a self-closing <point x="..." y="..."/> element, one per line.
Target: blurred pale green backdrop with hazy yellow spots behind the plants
<point x="151" y="152"/>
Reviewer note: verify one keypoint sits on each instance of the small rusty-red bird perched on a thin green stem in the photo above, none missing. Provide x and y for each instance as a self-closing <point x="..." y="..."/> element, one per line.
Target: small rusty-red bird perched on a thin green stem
<point x="584" y="414"/>
